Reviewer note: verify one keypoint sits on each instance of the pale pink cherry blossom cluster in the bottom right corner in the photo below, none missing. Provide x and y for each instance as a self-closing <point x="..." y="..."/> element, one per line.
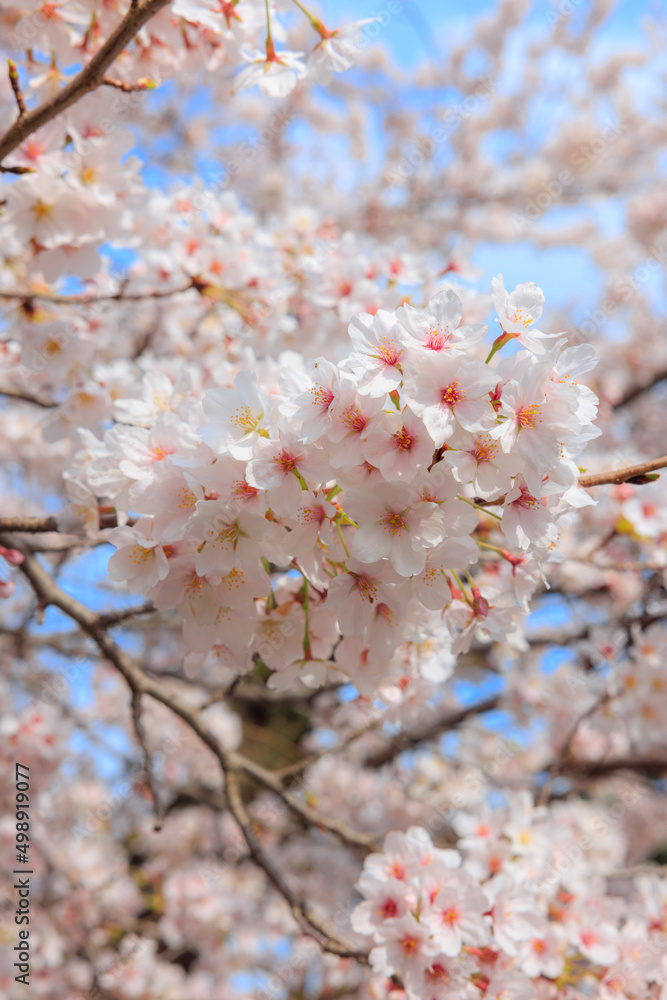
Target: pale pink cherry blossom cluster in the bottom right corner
<point x="517" y="911"/>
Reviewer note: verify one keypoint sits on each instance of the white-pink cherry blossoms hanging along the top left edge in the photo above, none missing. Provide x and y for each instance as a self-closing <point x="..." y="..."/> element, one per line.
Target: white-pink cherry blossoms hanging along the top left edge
<point x="244" y="37"/>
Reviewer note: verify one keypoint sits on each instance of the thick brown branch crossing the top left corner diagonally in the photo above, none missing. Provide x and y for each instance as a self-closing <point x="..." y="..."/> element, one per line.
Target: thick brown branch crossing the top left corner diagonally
<point x="88" y="79"/>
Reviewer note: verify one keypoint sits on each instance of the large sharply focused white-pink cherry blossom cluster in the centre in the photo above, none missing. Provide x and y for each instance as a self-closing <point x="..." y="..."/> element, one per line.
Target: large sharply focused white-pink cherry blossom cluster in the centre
<point x="344" y="500"/>
